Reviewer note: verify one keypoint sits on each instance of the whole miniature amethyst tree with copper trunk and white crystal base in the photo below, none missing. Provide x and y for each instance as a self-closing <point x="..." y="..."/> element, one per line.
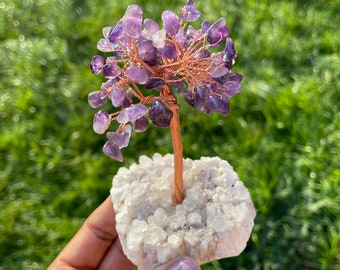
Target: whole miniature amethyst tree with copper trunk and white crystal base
<point x="210" y="214"/>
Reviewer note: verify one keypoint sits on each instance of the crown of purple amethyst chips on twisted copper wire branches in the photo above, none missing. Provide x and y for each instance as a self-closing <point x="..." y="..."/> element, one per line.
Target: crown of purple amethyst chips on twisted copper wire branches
<point x="148" y="64"/>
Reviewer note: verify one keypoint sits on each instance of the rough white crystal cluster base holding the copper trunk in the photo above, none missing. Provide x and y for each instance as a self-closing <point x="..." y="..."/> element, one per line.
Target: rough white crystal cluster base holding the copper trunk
<point x="214" y="221"/>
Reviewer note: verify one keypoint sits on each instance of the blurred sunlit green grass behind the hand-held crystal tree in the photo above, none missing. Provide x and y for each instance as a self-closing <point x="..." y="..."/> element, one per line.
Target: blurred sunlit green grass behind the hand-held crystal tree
<point x="282" y="135"/>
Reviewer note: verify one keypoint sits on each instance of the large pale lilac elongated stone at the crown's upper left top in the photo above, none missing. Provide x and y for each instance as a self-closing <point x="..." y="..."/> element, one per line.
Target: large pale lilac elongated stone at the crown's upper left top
<point x="132" y="21"/>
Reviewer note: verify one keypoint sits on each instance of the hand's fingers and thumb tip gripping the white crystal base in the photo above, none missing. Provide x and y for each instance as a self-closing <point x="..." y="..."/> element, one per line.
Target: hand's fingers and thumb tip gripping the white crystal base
<point x="96" y="246"/>
